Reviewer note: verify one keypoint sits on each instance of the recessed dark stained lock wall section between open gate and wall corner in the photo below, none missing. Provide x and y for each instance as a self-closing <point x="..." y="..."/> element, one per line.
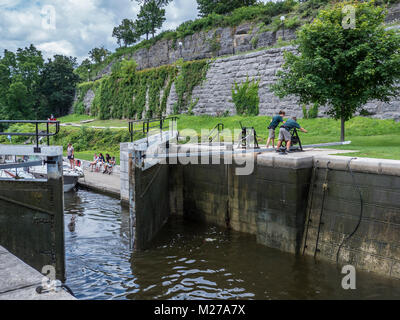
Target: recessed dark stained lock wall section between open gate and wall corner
<point x="270" y="203"/>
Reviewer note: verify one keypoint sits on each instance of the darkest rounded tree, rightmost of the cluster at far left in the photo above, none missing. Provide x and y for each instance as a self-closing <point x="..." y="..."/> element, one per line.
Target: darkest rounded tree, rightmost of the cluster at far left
<point x="58" y="85"/>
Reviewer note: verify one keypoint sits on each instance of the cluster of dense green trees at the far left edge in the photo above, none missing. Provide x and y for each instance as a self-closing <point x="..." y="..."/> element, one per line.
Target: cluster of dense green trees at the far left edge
<point x="31" y="88"/>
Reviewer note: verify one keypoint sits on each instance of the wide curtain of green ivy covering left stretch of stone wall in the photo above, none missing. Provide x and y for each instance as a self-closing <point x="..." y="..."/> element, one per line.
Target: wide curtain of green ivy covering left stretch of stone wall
<point x="128" y="93"/>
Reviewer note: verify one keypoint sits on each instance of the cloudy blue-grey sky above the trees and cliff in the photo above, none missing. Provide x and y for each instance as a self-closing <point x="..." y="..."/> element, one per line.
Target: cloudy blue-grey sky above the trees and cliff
<point x="74" y="27"/>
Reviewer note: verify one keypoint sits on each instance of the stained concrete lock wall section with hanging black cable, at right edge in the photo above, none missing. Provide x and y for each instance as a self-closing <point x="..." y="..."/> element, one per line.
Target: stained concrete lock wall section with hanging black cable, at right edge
<point x="376" y="244"/>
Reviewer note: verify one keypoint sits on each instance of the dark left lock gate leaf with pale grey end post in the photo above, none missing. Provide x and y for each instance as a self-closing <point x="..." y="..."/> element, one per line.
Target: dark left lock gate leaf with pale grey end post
<point x="32" y="221"/>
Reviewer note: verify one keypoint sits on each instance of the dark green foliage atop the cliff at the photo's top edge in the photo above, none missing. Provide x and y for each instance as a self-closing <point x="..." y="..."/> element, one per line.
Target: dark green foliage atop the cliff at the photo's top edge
<point x="207" y="7"/>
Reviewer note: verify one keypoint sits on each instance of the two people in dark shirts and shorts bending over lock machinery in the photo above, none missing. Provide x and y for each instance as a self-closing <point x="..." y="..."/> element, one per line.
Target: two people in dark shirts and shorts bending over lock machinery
<point x="284" y="131"/>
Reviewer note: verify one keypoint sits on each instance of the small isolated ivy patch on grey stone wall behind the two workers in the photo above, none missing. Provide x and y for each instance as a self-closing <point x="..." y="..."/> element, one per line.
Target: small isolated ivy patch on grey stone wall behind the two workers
<point x="245" y="97"/>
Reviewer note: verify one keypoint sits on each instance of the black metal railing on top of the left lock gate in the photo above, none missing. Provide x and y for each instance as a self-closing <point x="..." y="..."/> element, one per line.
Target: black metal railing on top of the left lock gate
<point x="37" y="134"/>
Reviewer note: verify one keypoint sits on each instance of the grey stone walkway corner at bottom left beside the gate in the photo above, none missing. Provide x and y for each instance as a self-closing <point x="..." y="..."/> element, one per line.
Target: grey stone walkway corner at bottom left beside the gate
<point x="18" y="281"/>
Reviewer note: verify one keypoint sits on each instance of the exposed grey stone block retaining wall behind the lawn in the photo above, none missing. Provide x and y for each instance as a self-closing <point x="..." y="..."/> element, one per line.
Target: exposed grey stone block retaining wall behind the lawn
<point x="214" y="95"/>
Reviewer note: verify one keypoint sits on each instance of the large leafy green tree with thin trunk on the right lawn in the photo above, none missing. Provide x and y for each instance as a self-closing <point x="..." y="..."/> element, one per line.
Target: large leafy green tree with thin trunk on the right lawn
<point x="340" y="65"/>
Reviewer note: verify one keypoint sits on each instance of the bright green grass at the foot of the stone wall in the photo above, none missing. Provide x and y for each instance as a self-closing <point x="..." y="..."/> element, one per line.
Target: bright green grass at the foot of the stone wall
<point x="371" y="137"/>
